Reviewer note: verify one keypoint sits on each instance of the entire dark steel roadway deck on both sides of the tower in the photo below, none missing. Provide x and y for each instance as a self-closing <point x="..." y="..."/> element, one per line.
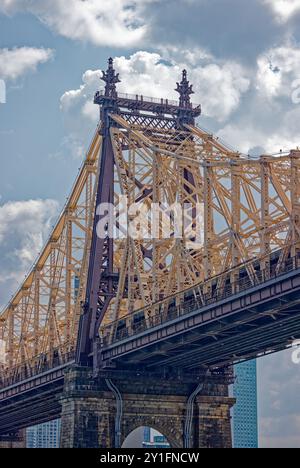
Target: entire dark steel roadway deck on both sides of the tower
<point x="256" y="321"/>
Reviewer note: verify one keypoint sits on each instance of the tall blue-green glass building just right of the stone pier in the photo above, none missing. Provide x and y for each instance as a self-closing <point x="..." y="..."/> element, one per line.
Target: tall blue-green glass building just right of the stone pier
<point x="245" y="419"/>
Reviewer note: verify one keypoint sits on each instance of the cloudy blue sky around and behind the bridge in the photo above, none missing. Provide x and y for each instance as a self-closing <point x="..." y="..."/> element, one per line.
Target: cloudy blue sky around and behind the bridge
<point x="244" y="60"/>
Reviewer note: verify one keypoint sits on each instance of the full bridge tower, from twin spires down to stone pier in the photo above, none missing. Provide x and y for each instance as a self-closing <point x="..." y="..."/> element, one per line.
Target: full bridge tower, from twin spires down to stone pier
<point x="147" y="157"/>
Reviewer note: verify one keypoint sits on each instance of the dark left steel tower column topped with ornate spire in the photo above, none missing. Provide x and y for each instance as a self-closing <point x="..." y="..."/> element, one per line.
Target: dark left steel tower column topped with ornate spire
<point x="100" y="284"/>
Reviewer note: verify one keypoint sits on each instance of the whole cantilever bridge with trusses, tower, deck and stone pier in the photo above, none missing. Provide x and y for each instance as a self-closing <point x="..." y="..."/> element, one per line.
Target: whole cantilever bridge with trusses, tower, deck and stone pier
<point x="99" y="308"/>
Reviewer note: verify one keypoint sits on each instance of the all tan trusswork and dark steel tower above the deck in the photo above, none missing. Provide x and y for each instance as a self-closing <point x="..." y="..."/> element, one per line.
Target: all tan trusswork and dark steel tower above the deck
<point x="151" y="151"/>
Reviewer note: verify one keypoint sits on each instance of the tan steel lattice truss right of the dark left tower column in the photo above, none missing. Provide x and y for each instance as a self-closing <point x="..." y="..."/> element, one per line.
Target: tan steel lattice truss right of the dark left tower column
<point x="250" y="209"/>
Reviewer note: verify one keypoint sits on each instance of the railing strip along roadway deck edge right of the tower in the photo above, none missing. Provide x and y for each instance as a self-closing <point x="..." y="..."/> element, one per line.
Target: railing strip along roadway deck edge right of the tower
<point x="207" y="293"/>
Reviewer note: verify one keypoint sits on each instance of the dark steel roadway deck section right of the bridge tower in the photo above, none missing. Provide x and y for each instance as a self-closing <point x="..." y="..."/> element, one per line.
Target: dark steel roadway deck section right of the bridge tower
<point x="256" y="321"/>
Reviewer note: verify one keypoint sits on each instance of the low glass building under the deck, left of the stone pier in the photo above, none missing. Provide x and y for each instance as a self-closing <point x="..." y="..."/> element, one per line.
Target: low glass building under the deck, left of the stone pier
<point x="44" y="436"/>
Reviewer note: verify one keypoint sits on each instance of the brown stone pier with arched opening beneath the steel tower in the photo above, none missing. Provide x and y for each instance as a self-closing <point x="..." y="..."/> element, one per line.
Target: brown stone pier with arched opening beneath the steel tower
<point x="191" y="411"/>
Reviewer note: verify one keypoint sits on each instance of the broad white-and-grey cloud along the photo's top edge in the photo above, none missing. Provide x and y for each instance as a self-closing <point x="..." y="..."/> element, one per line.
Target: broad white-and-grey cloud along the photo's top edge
<point x="132" y="23"/>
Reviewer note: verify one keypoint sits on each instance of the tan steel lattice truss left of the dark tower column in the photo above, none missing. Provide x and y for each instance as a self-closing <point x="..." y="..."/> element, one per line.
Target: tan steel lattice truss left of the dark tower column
<point x="39" y="326"/>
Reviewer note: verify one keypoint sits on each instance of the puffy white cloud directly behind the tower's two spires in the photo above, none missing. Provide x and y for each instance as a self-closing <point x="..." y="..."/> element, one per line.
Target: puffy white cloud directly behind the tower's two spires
<point x="218" y="85"/>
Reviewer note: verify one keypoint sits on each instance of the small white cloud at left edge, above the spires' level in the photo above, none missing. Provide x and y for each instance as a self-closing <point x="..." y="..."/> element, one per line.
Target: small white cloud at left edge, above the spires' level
<point x="15" y="62"/>
